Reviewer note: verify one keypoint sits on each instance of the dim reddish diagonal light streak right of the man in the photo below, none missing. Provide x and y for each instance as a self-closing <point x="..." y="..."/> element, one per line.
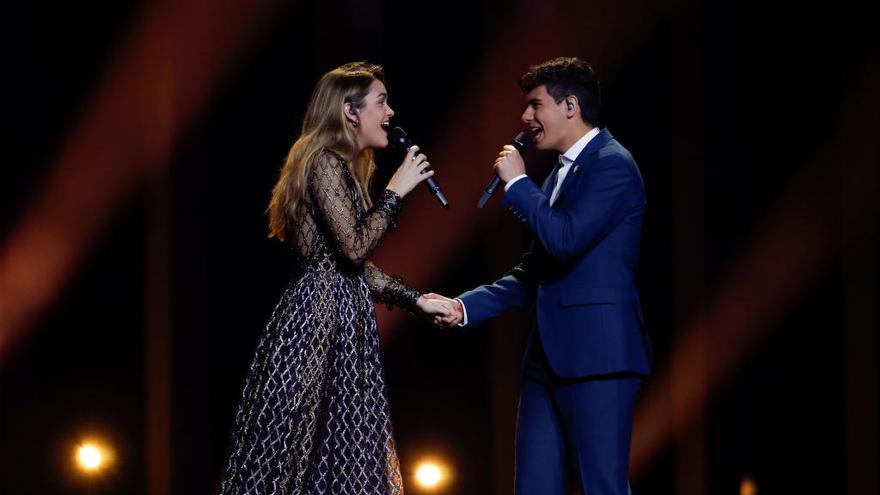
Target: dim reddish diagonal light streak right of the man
<point x="793" y="247"/>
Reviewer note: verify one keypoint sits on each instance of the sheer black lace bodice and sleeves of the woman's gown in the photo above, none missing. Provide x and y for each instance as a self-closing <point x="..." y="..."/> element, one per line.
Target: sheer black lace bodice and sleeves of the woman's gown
<point x="335" y="229"/>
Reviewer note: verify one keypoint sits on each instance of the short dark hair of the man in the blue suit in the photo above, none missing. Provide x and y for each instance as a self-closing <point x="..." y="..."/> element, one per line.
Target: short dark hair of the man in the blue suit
<point x="567" y="76"/>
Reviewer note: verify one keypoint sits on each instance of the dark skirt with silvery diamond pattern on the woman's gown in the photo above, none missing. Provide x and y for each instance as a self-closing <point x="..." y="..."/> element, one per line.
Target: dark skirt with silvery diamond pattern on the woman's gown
<point x="313" y="417"/>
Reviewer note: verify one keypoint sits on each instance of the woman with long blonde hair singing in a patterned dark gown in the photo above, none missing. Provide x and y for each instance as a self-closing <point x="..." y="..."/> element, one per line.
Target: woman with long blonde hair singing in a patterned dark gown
<point x="313" y="416"/>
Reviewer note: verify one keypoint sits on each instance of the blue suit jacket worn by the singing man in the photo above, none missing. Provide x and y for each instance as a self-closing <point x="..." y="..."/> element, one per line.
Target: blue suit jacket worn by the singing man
<point x="580" y="271"/>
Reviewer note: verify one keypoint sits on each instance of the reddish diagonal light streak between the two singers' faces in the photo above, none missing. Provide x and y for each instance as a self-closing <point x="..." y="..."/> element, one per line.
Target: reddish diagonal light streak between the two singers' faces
<point x="486" y="116"/>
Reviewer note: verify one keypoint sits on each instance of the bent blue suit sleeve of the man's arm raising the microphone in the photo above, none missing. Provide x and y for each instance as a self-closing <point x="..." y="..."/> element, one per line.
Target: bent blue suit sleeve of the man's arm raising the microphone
<point x="600" y="205"/>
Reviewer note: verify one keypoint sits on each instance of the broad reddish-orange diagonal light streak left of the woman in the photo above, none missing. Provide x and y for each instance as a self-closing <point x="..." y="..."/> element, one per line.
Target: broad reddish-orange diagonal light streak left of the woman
<point x="157" y="82"/>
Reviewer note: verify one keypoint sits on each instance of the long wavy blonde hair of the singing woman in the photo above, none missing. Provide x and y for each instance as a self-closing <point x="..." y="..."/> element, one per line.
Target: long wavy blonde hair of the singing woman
<point x="325" y="127"/>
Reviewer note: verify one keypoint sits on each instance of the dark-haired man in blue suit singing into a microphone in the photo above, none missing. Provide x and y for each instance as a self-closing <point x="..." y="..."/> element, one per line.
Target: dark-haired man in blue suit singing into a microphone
<point x="588" y="351"/>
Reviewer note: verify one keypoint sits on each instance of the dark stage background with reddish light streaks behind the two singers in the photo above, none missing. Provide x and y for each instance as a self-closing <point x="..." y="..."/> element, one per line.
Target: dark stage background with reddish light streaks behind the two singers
<point x="141" y="140"/>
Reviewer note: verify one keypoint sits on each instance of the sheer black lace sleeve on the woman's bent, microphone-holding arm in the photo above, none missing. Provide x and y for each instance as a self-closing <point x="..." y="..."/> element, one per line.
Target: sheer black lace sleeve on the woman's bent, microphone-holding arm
<point x="355" y="235"/>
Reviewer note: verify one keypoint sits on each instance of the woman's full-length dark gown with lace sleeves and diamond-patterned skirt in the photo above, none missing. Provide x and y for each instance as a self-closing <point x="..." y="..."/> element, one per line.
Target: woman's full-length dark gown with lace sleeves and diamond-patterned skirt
<point x="313" y="416"/>
